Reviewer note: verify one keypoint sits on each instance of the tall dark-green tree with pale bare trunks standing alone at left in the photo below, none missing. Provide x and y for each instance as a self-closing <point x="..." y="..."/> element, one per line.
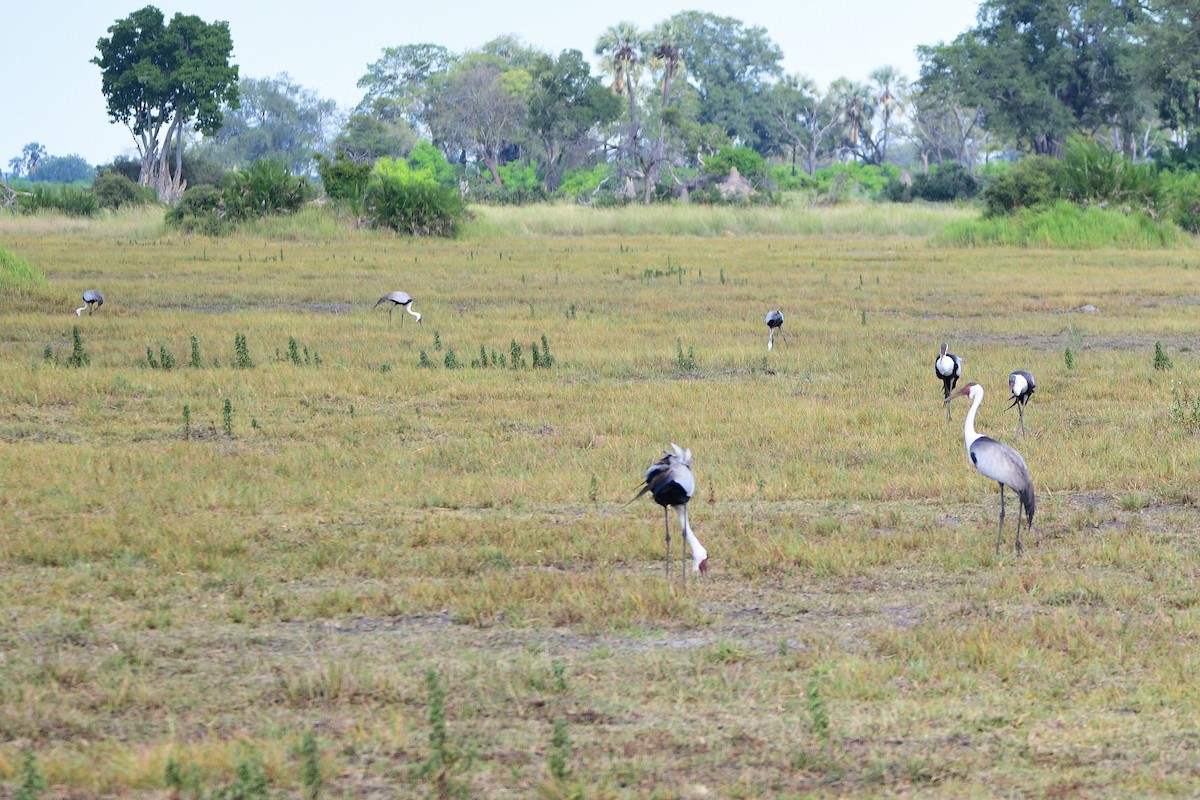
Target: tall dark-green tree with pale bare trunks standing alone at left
<point x="159" y="79"/>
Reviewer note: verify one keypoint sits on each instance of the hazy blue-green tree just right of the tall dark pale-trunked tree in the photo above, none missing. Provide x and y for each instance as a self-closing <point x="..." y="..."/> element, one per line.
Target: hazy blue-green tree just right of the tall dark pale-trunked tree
<point x="275" y="119"/>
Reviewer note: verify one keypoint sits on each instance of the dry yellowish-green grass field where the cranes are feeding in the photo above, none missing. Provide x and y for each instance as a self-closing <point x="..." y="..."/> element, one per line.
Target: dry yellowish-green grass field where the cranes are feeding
<point x="178" y="601"/>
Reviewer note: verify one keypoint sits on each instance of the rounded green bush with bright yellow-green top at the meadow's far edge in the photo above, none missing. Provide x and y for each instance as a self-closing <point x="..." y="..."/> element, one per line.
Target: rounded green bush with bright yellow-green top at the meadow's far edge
<point x="418" y="208"/>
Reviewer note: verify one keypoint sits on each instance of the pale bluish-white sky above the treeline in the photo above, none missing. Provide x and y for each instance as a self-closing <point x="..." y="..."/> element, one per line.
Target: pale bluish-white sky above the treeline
<point x="50" y="91"/>
